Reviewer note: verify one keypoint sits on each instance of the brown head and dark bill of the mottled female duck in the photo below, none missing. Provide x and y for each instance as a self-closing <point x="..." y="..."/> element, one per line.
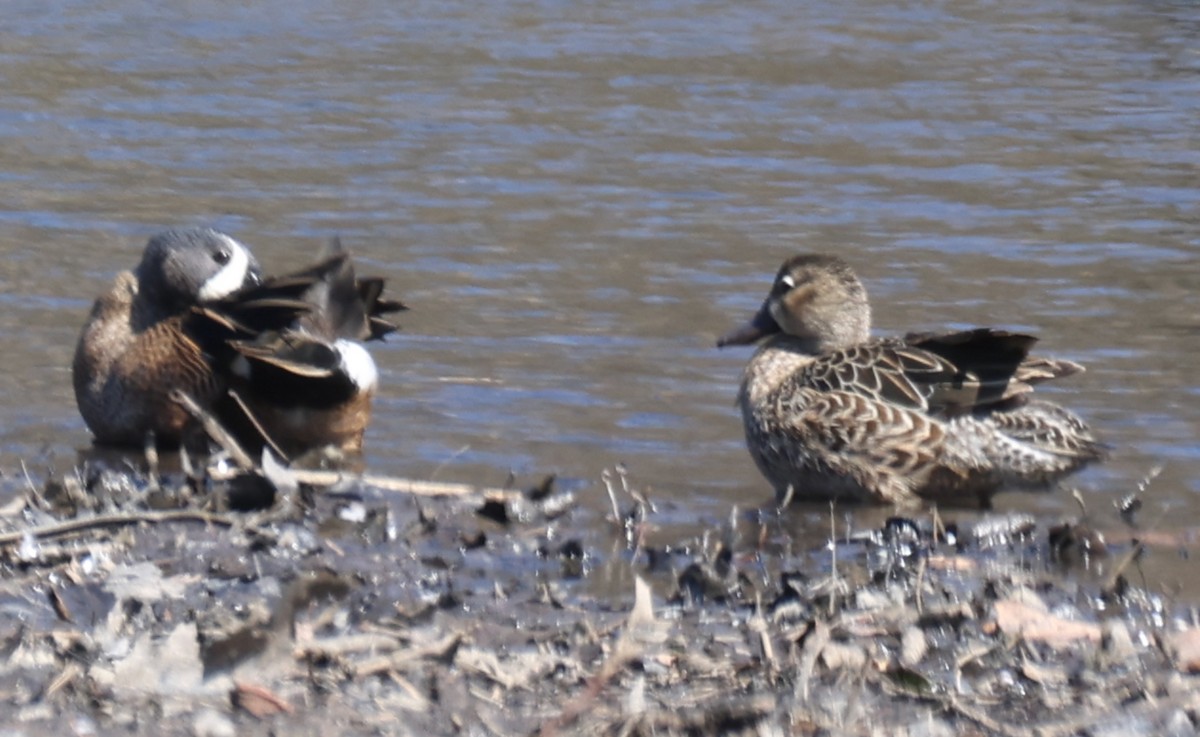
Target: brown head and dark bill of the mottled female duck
<point x="817" y="299"/>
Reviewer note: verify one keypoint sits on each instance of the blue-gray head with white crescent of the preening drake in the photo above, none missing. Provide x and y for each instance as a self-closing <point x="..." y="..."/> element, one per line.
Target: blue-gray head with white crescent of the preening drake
<point x="187" y="267"/>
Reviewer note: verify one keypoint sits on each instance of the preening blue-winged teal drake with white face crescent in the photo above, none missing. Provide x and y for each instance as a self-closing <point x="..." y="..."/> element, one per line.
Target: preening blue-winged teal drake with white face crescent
<point x="197" y="316"/>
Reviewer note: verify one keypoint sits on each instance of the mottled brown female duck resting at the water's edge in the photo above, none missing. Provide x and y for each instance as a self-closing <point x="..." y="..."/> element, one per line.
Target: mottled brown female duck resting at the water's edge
<point x="835" y="415"/>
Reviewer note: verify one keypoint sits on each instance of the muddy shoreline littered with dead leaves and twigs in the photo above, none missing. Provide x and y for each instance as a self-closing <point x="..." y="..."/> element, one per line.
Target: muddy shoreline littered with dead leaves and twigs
<point x="219" y="603"/>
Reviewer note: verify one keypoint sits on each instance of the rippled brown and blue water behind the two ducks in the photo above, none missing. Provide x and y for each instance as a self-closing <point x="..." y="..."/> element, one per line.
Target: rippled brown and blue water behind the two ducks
<point x="578" y="197"/>
